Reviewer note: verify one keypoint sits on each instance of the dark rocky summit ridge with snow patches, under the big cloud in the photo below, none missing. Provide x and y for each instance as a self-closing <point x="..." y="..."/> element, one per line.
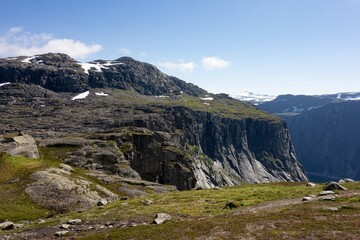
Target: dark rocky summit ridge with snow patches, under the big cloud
<point x="60" y="73"/>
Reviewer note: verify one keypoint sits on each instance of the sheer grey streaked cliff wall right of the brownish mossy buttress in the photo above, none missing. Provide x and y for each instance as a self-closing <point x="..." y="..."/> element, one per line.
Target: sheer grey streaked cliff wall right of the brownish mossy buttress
<point x="251" y="150"/>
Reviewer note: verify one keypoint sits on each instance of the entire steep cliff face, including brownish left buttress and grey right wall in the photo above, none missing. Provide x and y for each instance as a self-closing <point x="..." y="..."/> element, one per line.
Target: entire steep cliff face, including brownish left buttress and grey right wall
<point x="211" y="150"/>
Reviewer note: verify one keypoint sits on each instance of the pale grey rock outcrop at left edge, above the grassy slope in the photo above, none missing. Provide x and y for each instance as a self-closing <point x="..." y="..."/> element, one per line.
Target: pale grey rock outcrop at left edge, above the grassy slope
<point x="22" y="145"/>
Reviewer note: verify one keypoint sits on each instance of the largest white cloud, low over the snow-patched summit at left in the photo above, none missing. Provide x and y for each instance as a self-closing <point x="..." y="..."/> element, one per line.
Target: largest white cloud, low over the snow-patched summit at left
<point x="17" y="42"/>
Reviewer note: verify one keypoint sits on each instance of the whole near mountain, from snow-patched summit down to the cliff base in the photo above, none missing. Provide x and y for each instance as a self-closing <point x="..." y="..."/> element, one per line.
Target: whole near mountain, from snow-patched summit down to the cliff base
<point x="125" y="117"/>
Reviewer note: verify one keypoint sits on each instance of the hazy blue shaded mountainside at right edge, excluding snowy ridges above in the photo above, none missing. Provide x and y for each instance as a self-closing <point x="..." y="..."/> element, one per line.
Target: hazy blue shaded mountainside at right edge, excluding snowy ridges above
<point x="327" y="140"/>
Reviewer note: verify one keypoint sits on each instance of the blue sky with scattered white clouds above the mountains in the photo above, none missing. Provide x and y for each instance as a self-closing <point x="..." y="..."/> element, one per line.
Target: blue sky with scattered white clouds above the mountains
<point x="263" y="46"/>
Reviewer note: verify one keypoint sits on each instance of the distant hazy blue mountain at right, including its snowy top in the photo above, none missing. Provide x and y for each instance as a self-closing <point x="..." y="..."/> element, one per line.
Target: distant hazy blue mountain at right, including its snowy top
<point x="325" y="132"/>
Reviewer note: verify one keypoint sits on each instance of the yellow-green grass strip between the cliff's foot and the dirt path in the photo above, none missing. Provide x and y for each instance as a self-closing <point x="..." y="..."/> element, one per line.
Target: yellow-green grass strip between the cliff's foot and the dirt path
<point x="198" y="203"/>
